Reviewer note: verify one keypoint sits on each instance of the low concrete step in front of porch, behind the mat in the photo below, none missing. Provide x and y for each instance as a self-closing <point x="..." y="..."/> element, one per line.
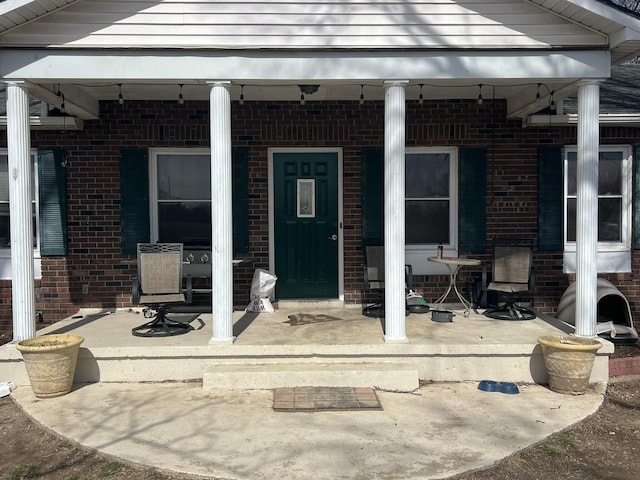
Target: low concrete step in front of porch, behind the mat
<point x="385" y="376"/>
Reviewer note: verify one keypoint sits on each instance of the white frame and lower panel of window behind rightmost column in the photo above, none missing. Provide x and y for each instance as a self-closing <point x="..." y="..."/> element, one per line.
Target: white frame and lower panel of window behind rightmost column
<point x="613" y="257"/>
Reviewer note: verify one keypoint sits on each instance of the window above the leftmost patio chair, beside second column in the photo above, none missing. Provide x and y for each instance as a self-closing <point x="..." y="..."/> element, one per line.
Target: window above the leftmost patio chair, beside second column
<point x="181" y="196"/>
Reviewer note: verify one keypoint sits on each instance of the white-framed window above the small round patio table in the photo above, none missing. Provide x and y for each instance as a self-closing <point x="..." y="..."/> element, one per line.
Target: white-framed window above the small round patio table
<point x="430" y="197"/>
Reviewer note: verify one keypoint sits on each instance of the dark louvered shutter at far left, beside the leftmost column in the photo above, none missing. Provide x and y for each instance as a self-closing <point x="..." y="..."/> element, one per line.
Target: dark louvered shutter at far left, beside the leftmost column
<point x="52" y="195"/>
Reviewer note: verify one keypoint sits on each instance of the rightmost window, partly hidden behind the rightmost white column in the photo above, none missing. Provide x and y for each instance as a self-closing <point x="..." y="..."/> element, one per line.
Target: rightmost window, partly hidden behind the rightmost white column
<point x="614" y="200"/>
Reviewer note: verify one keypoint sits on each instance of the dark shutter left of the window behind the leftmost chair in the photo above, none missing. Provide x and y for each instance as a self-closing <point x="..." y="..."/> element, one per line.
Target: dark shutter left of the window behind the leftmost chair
<point x="134" y="198"/>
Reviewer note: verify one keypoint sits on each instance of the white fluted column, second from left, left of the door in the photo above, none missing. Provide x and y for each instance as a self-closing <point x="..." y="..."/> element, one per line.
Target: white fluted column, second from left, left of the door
<point x="221" y="214"/>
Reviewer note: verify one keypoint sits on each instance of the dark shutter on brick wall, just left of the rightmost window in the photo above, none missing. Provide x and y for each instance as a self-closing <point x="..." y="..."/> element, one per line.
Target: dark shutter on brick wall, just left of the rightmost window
<point x="550" y="198"/>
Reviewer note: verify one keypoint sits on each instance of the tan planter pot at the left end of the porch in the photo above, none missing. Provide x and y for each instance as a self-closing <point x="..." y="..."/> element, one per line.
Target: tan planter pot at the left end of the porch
<point x="51" y="363"/>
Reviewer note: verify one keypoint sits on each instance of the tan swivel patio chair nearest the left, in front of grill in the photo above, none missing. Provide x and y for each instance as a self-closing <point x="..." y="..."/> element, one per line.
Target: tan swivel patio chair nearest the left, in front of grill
<point x="158" y="286"/>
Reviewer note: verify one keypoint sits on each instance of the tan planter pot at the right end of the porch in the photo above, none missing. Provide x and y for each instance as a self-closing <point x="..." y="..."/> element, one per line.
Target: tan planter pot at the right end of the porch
<point x="569" y="361"/>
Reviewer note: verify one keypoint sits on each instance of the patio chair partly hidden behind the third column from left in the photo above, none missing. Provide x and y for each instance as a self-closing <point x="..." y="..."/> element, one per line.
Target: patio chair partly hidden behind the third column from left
<point x="374" y="282"/>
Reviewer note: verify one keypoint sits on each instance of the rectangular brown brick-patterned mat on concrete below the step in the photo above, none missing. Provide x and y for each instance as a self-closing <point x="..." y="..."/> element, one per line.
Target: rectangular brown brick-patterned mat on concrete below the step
<point x="316" y="399"/>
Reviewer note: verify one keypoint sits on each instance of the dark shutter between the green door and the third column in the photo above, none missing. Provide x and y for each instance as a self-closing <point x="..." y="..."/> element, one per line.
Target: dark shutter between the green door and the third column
<point x="373" y="196"/>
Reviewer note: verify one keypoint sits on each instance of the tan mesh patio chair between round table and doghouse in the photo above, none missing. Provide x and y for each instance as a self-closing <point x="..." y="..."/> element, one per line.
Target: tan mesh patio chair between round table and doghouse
<point x="512" y="273"/>
